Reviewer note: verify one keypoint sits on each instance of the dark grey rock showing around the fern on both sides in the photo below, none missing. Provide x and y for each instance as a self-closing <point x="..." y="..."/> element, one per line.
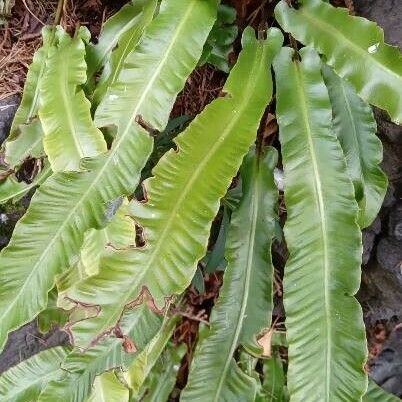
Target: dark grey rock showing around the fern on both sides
<point x="381" y="293"/>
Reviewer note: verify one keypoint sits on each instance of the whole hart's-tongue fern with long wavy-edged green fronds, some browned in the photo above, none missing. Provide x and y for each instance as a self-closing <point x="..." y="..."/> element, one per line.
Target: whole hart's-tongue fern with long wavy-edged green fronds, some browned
<point x="113" y="268"/>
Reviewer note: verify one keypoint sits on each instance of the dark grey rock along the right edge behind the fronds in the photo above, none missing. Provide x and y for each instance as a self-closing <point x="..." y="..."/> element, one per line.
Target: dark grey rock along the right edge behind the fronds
<point x="381" y="293"/>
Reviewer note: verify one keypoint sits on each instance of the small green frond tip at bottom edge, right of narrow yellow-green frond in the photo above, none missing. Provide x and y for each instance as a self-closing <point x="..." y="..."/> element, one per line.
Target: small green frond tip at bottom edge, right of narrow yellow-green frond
<point x="162" y="379"/>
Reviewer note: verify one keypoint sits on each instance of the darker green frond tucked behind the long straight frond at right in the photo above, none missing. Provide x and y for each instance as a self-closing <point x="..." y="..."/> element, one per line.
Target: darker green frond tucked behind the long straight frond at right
<point x="356" y="128"/>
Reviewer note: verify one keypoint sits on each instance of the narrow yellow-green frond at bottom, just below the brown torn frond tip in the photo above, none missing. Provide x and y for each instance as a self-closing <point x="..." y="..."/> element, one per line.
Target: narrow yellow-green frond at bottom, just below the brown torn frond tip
<point x="146" y="360"/>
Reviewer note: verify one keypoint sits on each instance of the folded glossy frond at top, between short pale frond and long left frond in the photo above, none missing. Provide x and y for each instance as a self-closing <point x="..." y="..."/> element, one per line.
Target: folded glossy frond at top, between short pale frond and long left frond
<point x="123" y="30"/>
